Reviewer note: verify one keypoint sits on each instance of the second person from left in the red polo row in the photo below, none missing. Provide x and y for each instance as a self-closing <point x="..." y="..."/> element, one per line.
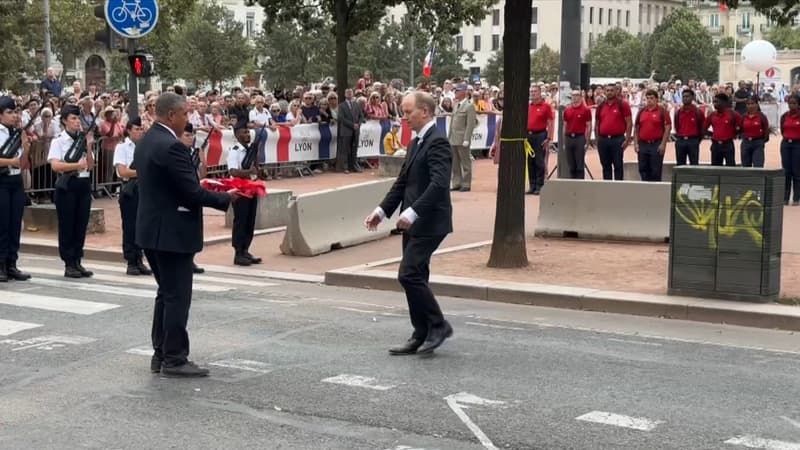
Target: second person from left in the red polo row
<point x="577" y="127"/>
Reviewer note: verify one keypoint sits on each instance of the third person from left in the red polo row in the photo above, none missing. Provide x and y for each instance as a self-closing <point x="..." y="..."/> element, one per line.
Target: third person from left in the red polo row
<point x="613" y="131"/>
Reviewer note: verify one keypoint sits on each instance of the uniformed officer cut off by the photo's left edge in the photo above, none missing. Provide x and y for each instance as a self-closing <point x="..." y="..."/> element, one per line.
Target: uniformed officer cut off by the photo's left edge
<point x="12" y="195"/>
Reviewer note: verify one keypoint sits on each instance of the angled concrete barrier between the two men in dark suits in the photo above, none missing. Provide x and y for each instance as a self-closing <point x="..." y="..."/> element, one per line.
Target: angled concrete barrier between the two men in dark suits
<point x="331" y="219"/>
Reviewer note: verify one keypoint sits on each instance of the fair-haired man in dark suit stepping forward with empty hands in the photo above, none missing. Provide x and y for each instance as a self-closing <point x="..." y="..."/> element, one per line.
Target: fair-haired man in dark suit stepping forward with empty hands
<point x="423" y="190"/>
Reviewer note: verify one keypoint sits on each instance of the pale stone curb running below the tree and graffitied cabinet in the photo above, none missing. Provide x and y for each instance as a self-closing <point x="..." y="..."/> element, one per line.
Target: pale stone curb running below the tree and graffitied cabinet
<point x="757" y="315"/>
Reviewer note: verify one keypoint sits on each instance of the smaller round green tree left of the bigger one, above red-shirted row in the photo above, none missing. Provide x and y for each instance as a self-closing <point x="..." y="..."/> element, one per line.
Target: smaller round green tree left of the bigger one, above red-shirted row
<point x="618" y="54"/>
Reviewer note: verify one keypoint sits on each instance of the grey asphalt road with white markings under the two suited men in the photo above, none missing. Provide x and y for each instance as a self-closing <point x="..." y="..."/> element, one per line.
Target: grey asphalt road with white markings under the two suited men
<point x="305" y="366"/>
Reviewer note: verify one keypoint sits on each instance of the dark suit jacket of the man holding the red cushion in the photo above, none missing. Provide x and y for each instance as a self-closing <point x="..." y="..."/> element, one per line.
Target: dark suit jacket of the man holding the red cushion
<point x="171" y="200"/>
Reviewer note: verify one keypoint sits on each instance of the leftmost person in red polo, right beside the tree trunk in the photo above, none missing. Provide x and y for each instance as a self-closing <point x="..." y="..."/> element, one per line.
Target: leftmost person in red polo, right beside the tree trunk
<point x="540" y="135"/>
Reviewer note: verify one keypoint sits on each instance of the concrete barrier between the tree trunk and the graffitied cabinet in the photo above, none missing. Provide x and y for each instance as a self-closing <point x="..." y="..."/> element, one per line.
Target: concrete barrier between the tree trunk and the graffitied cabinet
<point x="633" y="211"/>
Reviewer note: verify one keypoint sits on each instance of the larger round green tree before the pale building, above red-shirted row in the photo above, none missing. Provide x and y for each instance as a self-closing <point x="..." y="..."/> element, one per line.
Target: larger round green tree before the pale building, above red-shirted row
<point x="683" y="48"/>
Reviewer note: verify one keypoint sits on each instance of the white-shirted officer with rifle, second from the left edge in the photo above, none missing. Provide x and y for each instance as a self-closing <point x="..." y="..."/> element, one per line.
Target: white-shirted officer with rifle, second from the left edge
<point x="73" y="197"/>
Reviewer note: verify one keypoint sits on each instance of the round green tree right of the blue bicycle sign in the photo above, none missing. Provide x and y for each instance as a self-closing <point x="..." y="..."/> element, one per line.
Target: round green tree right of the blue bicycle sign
<point x="210" y="46"/>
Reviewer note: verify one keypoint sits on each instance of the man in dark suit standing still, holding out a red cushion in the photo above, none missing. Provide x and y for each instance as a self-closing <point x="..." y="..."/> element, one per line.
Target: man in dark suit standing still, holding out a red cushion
<point x="169" y="227"/>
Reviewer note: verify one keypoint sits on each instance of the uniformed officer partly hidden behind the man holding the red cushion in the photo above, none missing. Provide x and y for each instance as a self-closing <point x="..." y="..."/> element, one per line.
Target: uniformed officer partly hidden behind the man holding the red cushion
<point x="129" y="197"/>
